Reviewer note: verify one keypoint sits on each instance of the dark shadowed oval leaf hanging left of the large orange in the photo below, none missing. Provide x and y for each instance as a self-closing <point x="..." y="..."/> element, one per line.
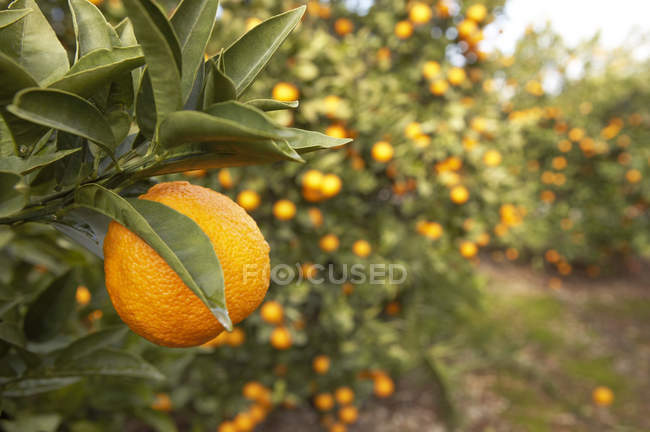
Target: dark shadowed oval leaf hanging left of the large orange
<point x="47" y="315"/>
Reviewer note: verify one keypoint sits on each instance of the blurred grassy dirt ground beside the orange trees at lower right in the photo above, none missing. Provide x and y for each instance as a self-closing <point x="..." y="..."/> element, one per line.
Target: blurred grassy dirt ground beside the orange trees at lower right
<point x="529" y="362"/>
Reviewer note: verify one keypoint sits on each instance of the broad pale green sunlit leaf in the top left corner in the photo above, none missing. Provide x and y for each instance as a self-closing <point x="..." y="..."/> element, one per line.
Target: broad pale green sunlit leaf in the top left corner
<point x="33" y="44"/>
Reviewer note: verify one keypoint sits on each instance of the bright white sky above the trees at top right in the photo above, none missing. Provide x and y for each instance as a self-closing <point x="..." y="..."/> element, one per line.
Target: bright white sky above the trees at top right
<point x="575" y="20"/>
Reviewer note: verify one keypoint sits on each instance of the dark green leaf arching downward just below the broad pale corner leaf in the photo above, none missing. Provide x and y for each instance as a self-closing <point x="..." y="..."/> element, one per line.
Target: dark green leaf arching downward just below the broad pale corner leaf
<point x="64" y="111"/>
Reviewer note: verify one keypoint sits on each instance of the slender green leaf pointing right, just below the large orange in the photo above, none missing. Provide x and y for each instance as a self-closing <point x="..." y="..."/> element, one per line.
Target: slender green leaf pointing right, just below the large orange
<point x="108" y="362"/>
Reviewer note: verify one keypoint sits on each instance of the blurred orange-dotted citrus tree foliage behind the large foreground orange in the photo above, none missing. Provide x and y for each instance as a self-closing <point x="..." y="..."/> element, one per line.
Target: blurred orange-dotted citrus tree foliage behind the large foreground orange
<point x="458" y="156"/>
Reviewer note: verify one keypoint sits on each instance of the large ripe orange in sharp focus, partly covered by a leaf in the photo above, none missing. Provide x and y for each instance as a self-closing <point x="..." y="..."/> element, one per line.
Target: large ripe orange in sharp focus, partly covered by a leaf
<point x="152" y="299"/>
